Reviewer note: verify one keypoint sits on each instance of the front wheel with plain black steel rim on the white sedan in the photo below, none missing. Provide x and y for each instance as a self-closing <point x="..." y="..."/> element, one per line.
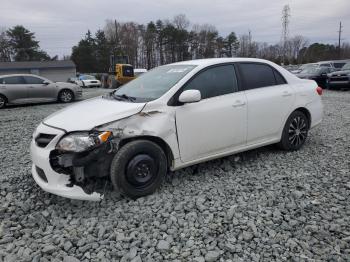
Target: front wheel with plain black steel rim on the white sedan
<point x="138" y="168"/>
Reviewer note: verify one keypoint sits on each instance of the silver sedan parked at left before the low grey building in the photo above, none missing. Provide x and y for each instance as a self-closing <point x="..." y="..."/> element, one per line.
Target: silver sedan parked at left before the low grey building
<point x="27" y="88"/>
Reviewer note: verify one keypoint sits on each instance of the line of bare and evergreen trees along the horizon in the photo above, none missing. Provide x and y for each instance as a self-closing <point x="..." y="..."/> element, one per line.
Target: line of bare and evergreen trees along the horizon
<point x="165" y="41"/>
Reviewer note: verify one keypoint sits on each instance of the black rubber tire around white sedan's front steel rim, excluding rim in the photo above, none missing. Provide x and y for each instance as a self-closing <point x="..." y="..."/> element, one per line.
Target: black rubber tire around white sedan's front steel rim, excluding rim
<point x="120" y="162"/>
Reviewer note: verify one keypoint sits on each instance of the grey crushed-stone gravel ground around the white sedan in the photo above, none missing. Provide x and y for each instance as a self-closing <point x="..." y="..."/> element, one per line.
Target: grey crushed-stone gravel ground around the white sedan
<point x="262" y="205"/>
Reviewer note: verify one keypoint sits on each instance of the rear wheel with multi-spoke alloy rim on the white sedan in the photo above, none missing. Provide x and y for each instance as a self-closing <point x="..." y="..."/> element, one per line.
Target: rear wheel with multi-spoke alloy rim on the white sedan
<point x="295" y="131"/>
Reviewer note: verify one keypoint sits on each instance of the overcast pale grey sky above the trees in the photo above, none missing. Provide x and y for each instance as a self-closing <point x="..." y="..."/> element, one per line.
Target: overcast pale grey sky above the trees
<point x="59" y="25"/>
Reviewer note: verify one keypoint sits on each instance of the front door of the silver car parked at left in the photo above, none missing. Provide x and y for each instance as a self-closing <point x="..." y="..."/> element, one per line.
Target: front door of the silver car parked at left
<point x="39" y="89"/>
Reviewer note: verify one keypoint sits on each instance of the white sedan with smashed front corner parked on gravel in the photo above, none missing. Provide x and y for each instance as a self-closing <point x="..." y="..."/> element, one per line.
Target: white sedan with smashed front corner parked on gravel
<point x="171" y="117"/>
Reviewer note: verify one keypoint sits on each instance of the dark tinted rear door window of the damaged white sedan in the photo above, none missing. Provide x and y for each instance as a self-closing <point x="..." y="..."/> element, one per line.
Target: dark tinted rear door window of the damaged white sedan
<point x="257" y="75"/>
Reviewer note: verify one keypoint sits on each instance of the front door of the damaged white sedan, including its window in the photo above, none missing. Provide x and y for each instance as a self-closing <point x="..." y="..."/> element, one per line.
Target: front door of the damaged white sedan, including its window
<point x="217" y="123"/>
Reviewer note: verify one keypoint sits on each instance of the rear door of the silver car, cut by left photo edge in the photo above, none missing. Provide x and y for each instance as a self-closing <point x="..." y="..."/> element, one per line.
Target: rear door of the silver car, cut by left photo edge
<point x="13" y="87"/>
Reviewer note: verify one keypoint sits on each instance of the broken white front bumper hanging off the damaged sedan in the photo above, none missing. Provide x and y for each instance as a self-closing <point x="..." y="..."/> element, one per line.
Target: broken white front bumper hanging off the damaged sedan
<point x="48" y="179"/>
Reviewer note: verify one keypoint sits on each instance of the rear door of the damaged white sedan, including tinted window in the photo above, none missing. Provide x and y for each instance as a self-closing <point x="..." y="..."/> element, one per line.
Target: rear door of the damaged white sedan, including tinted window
<point x="269" y="99"/>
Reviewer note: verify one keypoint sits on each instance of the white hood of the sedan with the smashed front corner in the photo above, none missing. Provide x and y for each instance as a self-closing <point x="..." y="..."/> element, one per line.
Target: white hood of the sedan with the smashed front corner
<point x="86" y="115"/>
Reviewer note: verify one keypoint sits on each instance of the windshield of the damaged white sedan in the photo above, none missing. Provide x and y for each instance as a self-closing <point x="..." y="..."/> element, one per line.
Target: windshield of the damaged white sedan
<point x="153" y="84"/>
